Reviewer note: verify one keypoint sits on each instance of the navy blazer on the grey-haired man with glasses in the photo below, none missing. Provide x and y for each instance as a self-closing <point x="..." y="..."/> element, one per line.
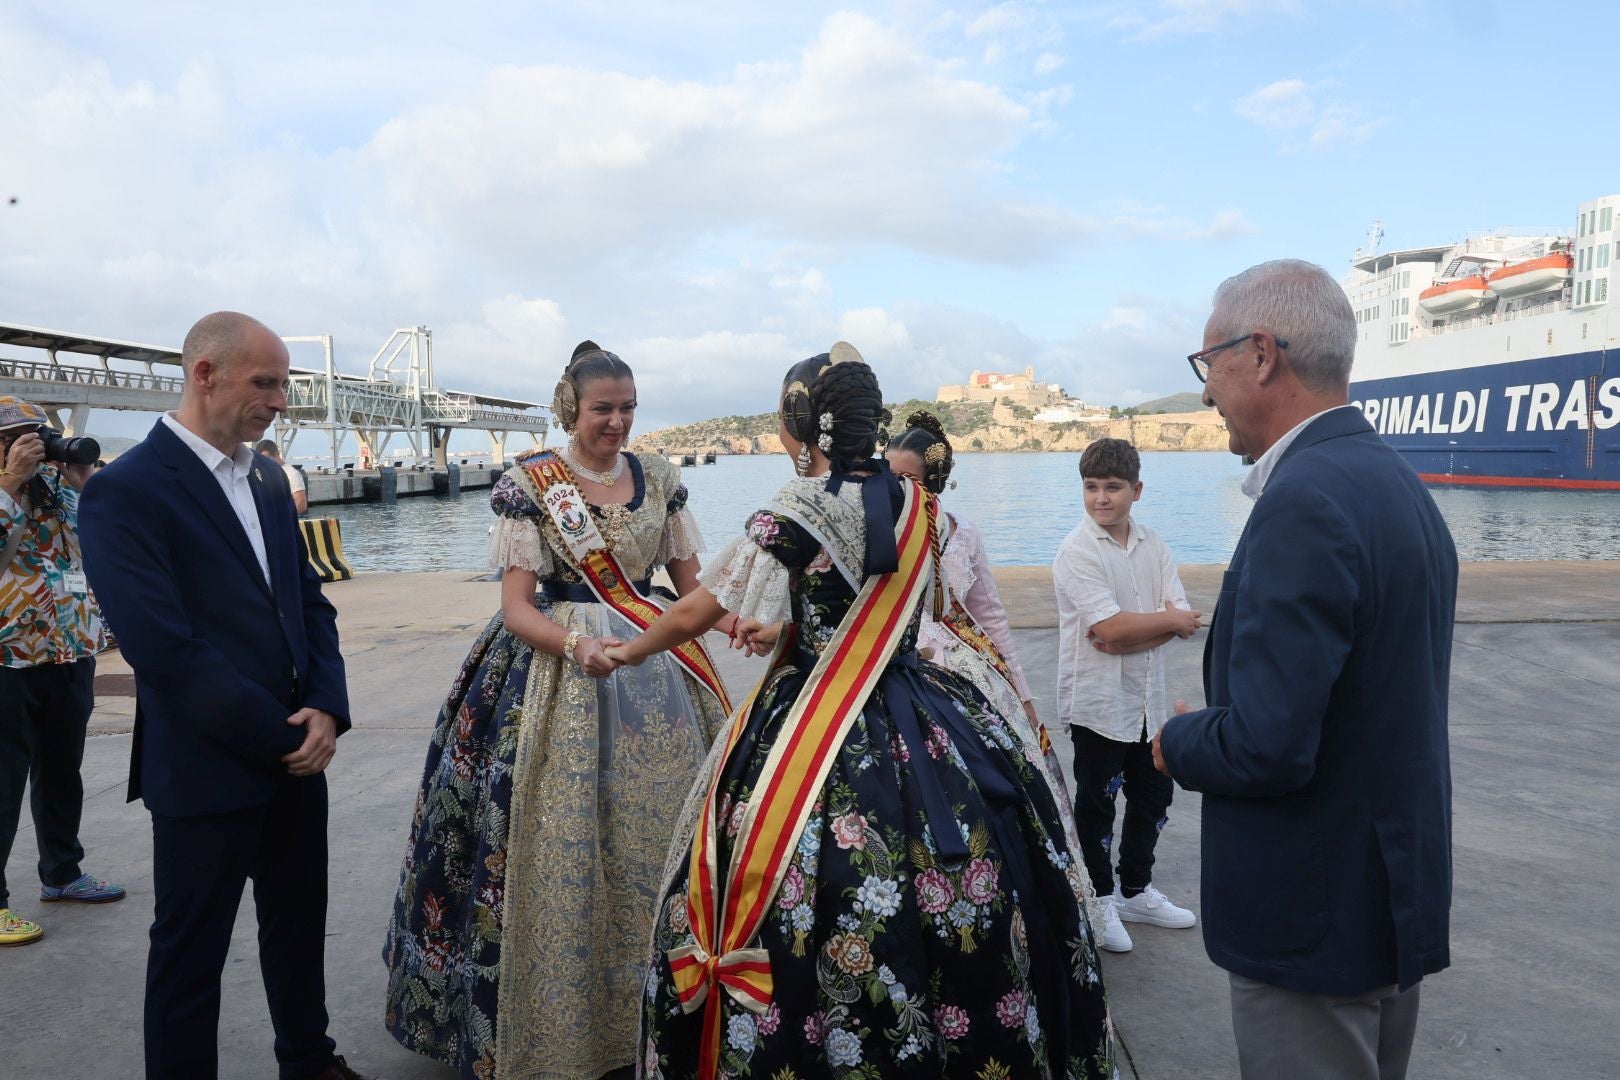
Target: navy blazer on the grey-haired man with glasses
<point x="1323" y="755"/>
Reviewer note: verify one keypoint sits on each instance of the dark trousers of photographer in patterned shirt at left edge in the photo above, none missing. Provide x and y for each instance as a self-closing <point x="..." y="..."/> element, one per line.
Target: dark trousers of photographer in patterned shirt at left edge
<point x="43" y="716"/>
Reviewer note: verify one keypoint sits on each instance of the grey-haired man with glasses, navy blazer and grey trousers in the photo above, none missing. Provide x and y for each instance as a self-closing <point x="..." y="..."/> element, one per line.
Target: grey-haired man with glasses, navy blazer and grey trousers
<point x="1323" y="750"/>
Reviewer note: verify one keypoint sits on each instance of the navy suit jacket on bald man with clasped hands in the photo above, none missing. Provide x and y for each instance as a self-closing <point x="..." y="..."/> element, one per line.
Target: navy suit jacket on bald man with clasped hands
<point x="221" y="658"/>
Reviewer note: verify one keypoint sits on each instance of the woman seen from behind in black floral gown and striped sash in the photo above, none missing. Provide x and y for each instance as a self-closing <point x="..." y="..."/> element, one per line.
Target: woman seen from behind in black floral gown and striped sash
<point x="872" y="882"/>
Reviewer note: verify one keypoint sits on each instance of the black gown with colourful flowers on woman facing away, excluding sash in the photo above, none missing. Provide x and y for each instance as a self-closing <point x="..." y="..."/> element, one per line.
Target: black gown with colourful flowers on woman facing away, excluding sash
<point x="931" y="922"/>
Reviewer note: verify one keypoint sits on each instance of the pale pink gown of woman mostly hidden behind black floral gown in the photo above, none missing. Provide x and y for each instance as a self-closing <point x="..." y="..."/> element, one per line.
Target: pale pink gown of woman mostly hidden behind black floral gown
<point x="968" y="579"/>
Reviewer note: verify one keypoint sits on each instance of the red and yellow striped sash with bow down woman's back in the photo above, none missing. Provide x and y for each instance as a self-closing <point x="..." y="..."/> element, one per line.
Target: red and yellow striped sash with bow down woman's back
<point x="727" y="916"/>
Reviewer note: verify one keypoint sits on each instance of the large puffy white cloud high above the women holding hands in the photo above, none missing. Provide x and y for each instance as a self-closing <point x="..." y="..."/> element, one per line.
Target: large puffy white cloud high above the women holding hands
<point x="864" y="140"/>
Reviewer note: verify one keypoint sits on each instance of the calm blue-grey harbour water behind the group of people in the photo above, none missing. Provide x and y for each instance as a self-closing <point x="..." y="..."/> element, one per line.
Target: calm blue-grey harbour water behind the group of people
<point x="1025" y="504"/>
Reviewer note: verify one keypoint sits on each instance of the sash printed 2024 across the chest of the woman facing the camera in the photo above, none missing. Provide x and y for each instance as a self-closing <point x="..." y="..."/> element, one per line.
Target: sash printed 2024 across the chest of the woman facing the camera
<point x="561" y="498"/>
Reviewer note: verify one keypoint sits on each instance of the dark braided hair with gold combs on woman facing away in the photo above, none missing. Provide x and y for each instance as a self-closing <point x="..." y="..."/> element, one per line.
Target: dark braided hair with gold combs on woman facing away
<point x="843" y="389"/>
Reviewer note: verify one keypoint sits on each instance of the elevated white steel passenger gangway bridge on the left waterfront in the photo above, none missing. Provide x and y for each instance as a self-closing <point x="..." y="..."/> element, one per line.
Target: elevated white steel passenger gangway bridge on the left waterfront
<point x="396" y="398"/>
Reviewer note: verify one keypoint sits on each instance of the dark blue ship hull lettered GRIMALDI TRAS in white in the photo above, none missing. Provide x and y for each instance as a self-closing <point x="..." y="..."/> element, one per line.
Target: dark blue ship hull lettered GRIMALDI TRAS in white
<point x="1551" y="423"/>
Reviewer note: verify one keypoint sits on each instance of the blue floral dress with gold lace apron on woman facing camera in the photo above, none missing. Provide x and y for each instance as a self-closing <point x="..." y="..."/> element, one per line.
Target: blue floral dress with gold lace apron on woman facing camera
<point x="511" y="854"/>
